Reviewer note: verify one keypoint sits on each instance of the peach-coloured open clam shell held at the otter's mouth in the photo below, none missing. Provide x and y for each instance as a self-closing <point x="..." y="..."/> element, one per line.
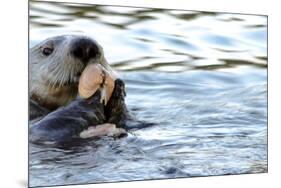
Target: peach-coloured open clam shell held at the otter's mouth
<point x="95" y="77"/>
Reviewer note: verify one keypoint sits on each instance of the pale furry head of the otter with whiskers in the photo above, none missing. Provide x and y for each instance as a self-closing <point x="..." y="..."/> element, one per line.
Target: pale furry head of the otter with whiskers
<point x="55" y="66"/>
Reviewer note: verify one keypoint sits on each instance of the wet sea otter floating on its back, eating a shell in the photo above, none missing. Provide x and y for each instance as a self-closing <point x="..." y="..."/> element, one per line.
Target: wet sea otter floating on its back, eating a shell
<point x="55" y="67"/>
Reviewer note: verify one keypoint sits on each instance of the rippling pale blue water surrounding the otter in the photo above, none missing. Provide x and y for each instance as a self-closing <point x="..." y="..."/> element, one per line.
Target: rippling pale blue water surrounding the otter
<point x="201" y="77"/>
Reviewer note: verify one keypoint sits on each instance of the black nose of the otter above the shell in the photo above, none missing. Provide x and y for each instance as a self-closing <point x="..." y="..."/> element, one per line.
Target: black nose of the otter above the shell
<point x="84" y="49"/>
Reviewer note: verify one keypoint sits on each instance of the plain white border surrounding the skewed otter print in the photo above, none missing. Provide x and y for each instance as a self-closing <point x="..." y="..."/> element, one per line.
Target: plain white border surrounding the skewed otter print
<point x="14" y="32"/>
